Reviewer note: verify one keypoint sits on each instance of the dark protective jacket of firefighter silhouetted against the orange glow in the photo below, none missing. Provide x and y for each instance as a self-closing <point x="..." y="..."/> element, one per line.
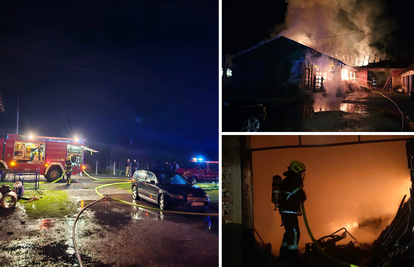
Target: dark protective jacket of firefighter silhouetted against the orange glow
<point x="292" y="193"/>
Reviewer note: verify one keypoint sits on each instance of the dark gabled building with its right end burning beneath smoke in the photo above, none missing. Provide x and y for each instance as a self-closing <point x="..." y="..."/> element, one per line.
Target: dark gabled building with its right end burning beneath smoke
<point x="283" y="67"/>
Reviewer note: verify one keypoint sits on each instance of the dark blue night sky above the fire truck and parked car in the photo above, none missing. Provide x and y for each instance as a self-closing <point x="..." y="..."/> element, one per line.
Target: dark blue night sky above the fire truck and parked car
<point x="166" y="53"/>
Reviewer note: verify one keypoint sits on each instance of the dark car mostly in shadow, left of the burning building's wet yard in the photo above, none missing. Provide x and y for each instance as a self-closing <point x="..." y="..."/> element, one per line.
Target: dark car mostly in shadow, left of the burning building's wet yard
<point x="242" y="115"/>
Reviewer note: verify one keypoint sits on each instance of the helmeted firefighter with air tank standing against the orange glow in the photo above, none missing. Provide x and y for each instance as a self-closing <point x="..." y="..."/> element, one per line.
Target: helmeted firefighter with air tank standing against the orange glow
<point x="289" y="209"/>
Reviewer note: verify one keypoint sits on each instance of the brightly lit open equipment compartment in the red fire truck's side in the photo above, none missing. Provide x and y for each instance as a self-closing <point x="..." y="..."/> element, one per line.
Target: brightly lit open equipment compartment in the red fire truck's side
<point x="29" y="152"/>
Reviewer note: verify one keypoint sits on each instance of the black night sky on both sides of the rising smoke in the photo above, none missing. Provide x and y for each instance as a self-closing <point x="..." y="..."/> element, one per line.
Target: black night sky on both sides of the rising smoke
<point x="245" y="24"/>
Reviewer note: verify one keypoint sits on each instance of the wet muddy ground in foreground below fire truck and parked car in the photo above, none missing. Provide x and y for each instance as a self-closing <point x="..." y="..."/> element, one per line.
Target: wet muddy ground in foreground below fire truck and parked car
<point x="108" y="234"/>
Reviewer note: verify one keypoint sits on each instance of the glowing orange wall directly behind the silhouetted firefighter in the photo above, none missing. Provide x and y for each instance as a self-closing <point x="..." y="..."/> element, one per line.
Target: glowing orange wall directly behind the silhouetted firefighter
<point x="344" y="185"/>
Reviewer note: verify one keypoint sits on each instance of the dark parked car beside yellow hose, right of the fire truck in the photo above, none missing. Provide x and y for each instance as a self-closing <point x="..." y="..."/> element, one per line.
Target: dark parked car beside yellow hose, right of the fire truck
<point x="167" y="190"/>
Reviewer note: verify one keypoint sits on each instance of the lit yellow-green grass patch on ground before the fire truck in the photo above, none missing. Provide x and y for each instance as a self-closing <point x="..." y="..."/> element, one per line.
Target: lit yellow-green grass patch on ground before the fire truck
<point x="53" y="204"/>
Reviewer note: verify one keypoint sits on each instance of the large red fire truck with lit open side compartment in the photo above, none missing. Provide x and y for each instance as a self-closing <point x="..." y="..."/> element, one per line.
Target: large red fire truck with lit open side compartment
<point x="47" y="155"/>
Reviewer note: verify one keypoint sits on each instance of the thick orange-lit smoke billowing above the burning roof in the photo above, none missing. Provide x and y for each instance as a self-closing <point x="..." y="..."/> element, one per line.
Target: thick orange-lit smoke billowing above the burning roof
<point x="310" y="22"/>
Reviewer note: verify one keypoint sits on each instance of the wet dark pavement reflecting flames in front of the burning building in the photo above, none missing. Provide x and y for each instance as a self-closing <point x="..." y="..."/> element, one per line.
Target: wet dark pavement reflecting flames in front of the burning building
<point x="361" y="111"/>
